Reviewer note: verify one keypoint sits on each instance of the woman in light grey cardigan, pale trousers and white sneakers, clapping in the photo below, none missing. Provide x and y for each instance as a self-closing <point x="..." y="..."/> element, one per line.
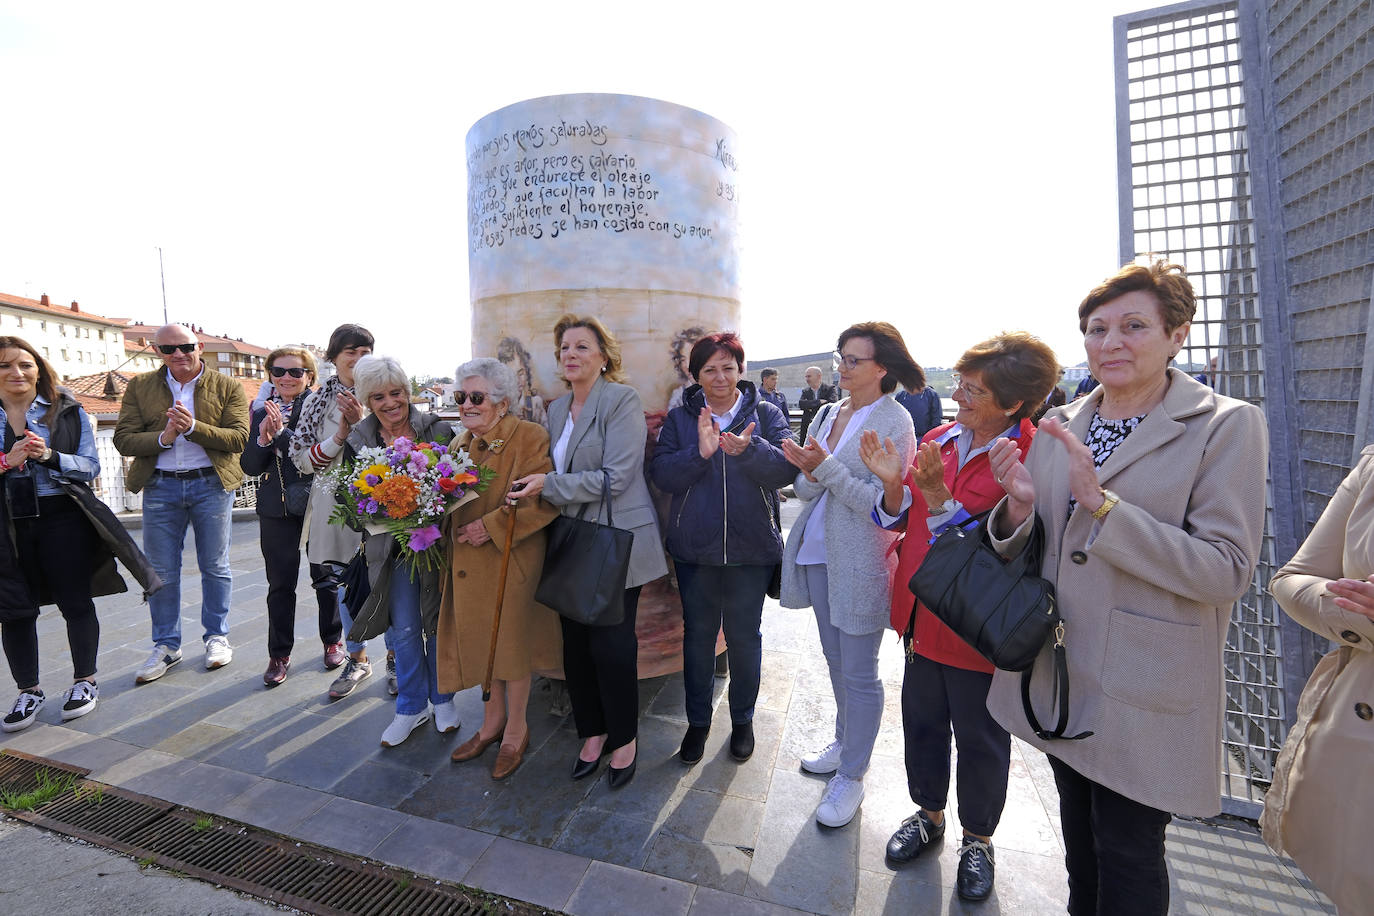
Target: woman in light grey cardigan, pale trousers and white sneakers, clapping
<point x="837" y="561"/>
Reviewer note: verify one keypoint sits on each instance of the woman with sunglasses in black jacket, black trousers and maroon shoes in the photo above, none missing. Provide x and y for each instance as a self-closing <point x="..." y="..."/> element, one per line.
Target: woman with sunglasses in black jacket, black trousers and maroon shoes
<point x="281" y="521"/>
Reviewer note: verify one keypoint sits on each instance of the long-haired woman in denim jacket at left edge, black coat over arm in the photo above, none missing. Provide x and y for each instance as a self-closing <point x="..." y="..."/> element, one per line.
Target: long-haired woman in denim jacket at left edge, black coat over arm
<point x="60" y="531"/>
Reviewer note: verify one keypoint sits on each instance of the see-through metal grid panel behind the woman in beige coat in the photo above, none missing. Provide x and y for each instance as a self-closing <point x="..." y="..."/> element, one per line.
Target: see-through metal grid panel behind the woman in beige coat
<point x="1186" y="168"/>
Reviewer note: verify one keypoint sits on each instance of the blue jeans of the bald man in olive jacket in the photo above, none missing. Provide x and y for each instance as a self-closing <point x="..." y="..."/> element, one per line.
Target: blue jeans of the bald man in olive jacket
<point x="170" y="506"/>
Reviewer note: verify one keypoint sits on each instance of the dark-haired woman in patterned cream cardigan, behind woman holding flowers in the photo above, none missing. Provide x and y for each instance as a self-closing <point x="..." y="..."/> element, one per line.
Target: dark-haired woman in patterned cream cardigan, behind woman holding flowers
<point x="329" y="415"/>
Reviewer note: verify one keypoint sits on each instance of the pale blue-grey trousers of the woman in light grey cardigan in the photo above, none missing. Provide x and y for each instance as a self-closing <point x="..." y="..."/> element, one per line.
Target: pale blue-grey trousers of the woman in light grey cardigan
<point x="854" y="678"/>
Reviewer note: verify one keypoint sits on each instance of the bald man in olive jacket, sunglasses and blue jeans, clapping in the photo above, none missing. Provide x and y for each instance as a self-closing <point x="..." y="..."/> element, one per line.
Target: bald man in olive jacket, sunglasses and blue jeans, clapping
<point x="185" y="426"/>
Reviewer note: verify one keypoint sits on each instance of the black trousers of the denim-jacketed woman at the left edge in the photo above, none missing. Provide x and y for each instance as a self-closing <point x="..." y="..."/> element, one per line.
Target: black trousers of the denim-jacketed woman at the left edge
<point x="57" y="554"/>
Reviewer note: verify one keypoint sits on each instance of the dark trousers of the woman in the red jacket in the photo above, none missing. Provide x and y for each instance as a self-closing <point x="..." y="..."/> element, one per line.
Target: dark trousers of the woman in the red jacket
<point x="934" y="698"/>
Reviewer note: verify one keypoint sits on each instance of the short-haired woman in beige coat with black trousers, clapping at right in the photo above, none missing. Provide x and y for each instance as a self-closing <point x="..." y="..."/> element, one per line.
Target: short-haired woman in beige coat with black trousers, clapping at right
<point x="1152" y="495"/>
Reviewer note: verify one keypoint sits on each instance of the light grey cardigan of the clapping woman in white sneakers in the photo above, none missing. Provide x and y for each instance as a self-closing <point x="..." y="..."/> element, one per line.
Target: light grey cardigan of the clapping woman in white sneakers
<point x="861" y="557"/>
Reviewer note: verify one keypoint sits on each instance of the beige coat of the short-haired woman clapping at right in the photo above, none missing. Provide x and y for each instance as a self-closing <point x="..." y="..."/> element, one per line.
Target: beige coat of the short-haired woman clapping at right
<point x="1147" y="594"/>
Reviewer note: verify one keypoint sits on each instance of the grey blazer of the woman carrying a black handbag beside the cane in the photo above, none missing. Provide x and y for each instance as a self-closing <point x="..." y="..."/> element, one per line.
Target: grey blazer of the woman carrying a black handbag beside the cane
<point x="609" y="433"/>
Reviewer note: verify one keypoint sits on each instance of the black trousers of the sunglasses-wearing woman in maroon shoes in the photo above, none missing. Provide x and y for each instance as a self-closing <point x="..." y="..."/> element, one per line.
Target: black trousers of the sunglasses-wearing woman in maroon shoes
<point x="281" y="543"/>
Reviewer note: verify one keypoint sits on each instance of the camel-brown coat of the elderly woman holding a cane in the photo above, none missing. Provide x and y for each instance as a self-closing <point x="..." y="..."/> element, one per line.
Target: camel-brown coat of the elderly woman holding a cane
<point x="530" y="639"/>
